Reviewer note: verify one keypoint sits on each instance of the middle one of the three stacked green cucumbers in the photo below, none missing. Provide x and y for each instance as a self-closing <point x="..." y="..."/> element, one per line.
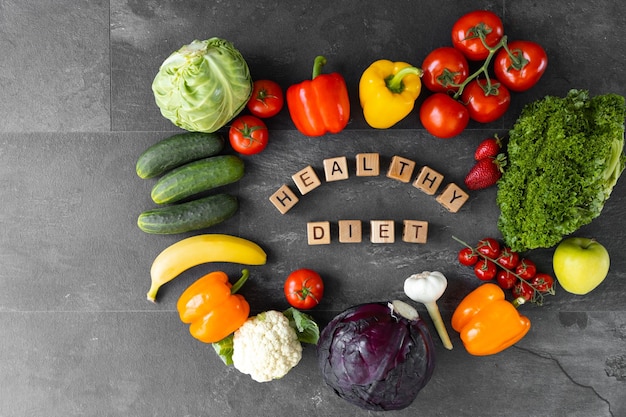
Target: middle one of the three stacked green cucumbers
<point x="196" y="177"/>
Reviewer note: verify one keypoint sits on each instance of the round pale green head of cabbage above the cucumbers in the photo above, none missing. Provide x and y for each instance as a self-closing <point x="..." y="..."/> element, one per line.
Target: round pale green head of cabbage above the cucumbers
<point x="203" y="85"/>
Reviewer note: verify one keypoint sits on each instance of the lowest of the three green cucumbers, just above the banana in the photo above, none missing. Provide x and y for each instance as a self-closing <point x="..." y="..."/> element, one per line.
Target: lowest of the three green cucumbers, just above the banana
<point x="189" y="216"/>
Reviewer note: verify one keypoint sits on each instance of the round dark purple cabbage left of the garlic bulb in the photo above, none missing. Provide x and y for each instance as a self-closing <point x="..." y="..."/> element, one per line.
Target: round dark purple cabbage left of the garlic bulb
<point x="374" y="356"/>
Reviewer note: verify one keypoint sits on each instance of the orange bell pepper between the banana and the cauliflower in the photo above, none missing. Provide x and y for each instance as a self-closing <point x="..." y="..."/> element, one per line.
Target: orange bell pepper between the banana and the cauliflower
<point x="212" y="308"/>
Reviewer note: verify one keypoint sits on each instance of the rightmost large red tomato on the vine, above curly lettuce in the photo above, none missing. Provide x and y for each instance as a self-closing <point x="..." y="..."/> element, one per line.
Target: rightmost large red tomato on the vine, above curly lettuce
<point x="523" y="67"/>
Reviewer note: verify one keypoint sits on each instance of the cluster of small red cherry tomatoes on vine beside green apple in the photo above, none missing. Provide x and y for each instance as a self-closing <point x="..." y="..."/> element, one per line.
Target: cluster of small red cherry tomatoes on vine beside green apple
<point x="492" y="261"/>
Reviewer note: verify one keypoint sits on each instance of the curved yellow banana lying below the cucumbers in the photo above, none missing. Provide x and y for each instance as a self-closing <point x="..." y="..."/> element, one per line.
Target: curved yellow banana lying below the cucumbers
<point x="196" y="250"/>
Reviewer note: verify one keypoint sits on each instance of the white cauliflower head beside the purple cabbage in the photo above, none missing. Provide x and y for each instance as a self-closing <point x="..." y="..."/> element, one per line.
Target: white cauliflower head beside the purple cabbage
<point x="266" y="347"/>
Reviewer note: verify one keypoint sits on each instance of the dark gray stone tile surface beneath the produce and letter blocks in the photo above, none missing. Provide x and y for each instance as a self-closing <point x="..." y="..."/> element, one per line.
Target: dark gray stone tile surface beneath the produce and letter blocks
<point x="79" y="337"/>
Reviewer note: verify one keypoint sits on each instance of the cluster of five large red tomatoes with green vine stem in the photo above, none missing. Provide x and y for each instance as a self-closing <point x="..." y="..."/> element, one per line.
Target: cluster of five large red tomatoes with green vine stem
<point x="459" y="96"/>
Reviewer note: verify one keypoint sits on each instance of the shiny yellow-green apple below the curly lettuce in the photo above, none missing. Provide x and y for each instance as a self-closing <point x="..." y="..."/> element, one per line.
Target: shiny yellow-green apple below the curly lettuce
<point x="580" y="264"/>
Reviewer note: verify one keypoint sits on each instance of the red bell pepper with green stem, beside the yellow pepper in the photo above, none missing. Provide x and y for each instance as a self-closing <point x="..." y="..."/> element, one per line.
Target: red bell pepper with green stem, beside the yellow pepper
<point x="319" y="105"/>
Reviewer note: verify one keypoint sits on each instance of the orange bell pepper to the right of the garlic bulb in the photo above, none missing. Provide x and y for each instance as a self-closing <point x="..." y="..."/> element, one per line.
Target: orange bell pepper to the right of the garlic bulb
<point x="488" y="323"/>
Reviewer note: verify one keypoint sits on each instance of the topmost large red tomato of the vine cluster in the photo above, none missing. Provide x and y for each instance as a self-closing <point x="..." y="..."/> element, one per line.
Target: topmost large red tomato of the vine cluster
<point x="468" y="30"/>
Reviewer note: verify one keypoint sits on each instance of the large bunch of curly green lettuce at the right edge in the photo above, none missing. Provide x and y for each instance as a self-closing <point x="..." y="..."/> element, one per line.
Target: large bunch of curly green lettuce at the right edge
<point x="565" y="156"/>
